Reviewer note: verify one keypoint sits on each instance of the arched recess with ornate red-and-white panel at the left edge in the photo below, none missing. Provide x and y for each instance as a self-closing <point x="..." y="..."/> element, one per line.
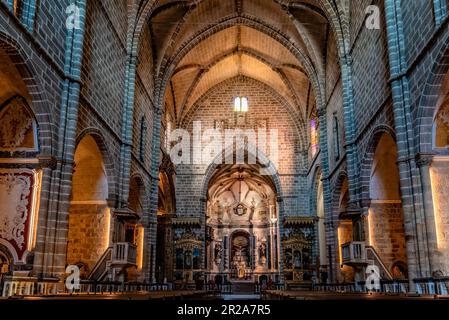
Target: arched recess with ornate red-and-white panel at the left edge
<point x="20" y="180"/>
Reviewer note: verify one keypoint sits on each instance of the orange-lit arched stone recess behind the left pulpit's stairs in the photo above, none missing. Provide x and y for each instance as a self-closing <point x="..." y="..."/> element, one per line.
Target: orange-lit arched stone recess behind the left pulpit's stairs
<point x="89" y="222"/>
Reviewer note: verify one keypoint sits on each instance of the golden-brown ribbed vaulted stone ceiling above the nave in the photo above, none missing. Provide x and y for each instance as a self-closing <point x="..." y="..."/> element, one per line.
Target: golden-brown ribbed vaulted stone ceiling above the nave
<point x="198" y="44"/>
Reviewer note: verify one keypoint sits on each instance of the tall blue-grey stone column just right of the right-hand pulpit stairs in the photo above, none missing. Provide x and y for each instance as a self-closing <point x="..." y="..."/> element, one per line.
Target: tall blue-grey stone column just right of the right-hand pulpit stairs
<point x="414" y="221"/>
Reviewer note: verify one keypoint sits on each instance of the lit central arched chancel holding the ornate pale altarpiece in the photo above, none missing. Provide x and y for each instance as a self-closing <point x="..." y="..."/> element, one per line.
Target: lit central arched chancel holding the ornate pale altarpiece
<point x="241" y="221"/>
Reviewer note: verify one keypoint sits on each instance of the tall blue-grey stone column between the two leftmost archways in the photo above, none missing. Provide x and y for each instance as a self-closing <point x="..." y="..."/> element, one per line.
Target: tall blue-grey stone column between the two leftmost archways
<point x="51" y="262"/>
